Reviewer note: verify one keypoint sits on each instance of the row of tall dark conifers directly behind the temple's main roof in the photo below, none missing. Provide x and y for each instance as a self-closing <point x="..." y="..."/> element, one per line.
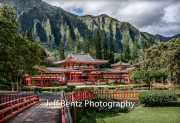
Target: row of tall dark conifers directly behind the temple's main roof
<point x="99" y="47"/>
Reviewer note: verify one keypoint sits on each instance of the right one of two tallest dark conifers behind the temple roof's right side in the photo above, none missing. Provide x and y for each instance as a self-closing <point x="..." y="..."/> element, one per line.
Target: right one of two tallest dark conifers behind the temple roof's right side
<point x="104" y="45"/>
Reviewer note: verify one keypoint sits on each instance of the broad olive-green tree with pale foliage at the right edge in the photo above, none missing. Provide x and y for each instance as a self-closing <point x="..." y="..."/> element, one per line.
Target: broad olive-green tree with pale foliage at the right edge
<point x="164" y="56"/>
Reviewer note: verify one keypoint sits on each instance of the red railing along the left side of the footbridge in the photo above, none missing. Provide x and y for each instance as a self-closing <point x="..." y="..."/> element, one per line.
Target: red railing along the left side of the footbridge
<point x="15" y="105"/>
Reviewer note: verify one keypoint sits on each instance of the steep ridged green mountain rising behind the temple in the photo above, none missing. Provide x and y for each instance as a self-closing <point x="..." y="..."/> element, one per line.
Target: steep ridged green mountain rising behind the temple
<point x="51" y="24"/>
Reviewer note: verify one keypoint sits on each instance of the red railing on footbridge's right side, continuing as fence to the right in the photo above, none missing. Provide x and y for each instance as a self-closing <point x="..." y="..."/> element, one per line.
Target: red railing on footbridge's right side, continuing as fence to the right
<point x="78" y="96"/>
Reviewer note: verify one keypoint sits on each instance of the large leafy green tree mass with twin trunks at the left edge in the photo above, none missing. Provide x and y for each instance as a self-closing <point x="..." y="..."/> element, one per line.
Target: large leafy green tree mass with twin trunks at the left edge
<point x="18" y="54"/>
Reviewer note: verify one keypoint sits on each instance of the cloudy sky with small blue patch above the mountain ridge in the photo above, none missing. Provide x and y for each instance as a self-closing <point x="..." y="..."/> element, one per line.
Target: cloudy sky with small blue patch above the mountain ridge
<point x="153" y="16"/>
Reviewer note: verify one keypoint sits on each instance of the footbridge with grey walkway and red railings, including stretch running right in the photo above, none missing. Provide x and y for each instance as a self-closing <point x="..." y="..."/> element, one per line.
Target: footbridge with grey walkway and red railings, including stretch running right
<point x="29" y="108"/>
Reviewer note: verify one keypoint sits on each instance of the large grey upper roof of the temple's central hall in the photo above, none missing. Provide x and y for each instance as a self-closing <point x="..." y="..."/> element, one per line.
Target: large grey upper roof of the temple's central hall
<point x="77" y="57"/>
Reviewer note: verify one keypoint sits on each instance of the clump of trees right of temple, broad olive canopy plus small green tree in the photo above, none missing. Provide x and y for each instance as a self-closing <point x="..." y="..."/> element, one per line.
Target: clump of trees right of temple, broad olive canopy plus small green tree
<point x="164" y="56"/>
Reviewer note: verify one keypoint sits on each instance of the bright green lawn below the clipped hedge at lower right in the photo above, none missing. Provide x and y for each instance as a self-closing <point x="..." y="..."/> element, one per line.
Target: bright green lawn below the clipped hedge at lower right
<point x="158" y="114"/>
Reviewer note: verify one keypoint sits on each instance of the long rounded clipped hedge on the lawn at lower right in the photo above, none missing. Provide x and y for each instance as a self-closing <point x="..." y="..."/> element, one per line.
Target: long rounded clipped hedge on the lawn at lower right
<point x="156" y="97"/>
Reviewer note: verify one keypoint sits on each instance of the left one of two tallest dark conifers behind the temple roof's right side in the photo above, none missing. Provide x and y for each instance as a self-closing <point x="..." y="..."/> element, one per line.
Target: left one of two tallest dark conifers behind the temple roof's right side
<point x="98" y="46"/>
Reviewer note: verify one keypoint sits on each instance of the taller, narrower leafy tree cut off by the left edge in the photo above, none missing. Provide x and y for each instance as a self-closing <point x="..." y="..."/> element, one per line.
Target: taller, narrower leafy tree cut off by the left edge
<point x="8" y="32"/>
